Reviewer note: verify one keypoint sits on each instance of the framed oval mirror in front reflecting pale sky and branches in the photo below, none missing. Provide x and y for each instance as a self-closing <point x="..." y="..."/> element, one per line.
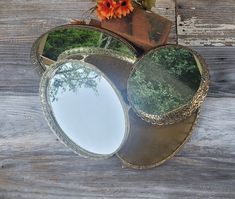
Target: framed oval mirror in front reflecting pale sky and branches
<point x="84" y="108"/>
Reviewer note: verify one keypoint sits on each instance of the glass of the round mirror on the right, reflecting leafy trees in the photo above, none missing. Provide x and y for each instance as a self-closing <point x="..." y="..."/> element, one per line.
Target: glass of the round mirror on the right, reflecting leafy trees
<point x="163" y="80"/>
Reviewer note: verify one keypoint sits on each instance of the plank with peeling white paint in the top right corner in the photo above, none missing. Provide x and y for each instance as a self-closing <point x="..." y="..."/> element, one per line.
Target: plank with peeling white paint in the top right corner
<point x="206" y="23"/>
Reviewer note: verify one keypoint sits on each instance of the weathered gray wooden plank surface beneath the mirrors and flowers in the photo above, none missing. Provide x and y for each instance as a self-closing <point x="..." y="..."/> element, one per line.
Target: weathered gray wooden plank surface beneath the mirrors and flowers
<point x="34" y="164"/>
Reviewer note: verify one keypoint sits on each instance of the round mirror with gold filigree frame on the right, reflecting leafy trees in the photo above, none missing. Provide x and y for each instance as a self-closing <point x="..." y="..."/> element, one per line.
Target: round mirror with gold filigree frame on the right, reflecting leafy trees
<point x="168" y="84"/>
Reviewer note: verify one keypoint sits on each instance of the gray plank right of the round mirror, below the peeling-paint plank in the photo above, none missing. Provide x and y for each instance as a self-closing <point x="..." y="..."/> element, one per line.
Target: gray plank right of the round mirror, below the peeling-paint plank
<point x="221" y="64"/>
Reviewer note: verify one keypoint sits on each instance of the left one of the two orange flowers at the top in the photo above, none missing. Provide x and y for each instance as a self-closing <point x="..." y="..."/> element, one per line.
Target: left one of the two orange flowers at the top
<point x="105" y="9"/>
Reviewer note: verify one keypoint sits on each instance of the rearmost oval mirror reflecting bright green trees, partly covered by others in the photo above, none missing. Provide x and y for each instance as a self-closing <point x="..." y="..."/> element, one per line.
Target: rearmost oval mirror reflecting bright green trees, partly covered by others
<point x="49" y="46"/>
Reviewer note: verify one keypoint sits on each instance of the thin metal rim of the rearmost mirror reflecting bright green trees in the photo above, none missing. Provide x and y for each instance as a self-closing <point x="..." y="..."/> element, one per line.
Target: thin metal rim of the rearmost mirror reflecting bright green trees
<point x="39" y="66"/>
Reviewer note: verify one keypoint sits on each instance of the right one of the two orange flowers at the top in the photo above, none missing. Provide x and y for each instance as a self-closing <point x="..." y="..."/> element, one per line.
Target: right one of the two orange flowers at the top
<point x="123" y="8"/>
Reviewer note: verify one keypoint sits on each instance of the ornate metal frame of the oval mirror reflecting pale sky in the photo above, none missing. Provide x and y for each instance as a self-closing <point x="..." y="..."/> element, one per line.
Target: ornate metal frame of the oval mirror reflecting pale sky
<point x="54" y="126"/>
